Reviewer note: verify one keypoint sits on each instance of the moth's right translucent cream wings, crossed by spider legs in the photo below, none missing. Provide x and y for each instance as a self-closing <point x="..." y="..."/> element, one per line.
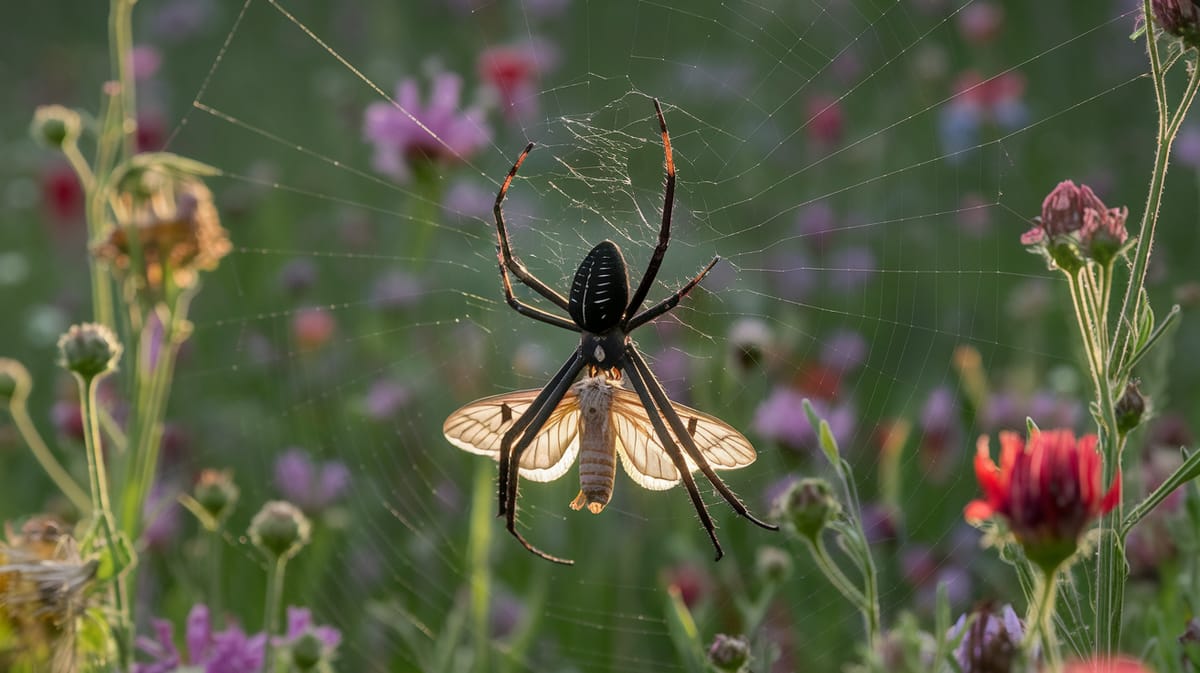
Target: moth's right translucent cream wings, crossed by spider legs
<point x="647" y="461"/>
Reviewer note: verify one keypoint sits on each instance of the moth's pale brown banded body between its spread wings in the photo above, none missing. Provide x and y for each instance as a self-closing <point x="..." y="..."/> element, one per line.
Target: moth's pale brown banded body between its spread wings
<point x="598" y="446"/>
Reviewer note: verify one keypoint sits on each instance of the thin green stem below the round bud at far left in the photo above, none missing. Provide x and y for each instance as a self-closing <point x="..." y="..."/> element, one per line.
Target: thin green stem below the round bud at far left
<point x="103" y="514"/>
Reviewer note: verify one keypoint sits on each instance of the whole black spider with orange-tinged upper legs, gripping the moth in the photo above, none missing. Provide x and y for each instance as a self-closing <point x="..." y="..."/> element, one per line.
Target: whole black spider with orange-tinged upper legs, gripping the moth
<point x="603" y="313"/>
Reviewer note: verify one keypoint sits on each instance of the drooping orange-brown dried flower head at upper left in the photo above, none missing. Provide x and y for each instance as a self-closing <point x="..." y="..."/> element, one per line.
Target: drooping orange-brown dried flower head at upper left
<point x="170" y="224"/>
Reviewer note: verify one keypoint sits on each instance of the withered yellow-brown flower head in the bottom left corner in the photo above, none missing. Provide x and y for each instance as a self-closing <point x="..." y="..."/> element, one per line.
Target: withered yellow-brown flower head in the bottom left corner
<point x="44" y="584"/>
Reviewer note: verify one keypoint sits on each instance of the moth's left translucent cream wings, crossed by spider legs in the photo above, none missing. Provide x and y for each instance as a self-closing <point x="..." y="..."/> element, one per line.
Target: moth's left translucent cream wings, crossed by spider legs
<point x="481" y="426"/>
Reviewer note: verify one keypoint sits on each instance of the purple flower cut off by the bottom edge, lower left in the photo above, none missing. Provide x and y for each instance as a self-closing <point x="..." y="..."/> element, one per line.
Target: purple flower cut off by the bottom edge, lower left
<point x="223" y="652"/>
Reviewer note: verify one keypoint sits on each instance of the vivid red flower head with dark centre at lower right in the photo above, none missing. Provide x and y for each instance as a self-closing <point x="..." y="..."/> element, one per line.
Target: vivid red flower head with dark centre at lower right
<point x="1048" y="490"/>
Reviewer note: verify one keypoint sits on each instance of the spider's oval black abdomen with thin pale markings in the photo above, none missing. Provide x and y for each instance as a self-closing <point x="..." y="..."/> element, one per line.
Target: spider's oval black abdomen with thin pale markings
<point x="601" y="291"/>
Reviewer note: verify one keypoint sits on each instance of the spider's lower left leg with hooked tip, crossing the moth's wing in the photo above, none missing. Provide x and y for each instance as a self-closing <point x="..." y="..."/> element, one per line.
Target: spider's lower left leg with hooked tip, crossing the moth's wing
<point x="511" y="459"/>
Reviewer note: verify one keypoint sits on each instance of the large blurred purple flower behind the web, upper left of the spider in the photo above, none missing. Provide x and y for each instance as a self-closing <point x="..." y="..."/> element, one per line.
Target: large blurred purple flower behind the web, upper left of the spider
<point x="407" y="131"/>
